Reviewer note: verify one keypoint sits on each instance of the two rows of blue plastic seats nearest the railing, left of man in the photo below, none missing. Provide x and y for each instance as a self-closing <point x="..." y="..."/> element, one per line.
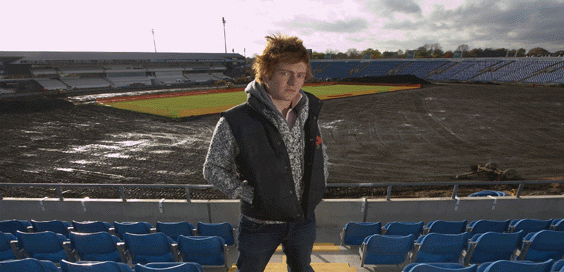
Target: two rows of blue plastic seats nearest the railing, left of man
<point x="125" y="242"/>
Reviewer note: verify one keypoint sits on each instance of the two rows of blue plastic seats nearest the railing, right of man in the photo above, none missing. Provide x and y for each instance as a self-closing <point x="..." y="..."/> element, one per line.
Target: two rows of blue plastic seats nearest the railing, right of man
<point x="456" y="241"/>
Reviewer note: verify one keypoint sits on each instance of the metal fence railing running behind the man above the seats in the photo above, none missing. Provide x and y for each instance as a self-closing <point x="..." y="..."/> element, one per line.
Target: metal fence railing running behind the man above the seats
<point x="188" y="187"/>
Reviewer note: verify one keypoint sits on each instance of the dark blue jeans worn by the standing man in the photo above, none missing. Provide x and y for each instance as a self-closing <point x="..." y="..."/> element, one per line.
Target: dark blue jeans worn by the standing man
<point x="257" y="242"/>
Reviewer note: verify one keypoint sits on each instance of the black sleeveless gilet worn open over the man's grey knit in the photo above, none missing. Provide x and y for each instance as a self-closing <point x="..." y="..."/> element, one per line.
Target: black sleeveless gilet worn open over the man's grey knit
<point x="264" y="162"/>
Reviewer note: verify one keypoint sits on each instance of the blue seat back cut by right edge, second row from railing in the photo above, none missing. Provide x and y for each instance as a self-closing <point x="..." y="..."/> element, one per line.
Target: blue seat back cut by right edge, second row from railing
<point x="545" y="245"/>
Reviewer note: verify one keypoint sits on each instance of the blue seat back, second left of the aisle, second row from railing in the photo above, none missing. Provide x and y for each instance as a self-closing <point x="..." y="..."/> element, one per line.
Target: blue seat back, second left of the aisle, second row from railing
<point x="152" y="247"/>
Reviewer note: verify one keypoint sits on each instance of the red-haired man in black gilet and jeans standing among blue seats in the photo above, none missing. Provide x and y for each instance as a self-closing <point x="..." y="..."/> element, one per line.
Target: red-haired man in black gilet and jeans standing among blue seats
<point x="269" y="153"/>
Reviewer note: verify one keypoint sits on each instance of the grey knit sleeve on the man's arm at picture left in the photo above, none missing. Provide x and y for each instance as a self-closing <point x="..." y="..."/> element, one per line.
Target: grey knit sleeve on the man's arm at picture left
<point x="220" y="168"/>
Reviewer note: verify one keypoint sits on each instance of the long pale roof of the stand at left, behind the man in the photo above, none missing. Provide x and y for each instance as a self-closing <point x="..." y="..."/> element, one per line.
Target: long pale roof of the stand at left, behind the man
<point x="23" y="57"/>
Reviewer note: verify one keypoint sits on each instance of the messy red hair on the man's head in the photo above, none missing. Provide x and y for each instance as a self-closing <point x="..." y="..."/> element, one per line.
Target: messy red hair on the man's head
<point x="280" y="49"/>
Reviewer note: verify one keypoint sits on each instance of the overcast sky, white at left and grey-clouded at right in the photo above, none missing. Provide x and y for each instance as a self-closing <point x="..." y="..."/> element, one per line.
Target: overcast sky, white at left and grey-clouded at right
<point x="196" y="25"/>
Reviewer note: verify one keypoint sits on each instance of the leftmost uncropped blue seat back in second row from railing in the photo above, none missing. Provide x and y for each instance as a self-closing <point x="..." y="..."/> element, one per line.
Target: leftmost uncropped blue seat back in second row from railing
<point x="45" y="245"/>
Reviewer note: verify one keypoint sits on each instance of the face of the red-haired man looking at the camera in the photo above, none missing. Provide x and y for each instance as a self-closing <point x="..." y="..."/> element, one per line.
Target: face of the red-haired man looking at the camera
<point x="286" y="81"/>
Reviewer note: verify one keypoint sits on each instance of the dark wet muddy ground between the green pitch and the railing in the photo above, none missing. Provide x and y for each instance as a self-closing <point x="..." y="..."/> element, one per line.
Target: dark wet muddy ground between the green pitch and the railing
<point x="423" y="135"/>
